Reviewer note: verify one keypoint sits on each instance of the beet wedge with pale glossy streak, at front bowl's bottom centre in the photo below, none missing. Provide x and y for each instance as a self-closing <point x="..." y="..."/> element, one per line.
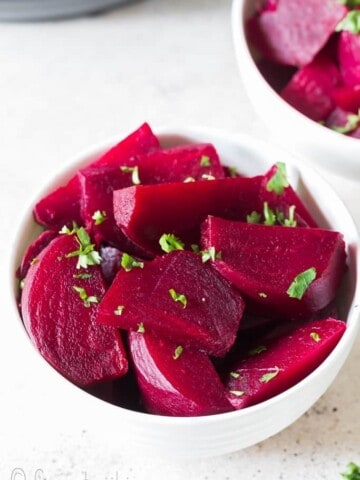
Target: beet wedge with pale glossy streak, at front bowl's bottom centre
<point x="174" y="380"/>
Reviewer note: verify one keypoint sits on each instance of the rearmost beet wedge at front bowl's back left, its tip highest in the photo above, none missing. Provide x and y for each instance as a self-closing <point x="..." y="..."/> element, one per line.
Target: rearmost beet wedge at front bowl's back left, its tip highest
<point x="62" y="205"/>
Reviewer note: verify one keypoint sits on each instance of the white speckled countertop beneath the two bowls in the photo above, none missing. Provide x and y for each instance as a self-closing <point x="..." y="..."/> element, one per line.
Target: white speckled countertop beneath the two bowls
<point x="68" y="84"/>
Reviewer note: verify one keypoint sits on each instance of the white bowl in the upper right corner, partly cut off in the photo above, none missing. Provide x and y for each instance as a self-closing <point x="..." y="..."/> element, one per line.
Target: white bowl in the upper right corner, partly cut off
<point x="322" y="146"/>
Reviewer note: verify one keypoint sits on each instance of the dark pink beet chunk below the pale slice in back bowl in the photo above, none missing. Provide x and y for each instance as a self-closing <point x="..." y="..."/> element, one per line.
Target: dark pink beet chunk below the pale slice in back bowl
<point x="310" y="90"/>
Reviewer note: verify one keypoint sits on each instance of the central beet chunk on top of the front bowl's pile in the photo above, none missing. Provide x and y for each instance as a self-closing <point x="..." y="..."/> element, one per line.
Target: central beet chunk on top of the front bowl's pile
<point x="210" y="319"/>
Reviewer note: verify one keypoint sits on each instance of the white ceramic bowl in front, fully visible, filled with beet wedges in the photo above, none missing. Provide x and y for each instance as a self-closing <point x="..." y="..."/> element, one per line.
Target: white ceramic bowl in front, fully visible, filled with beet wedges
<point x="223" y="433"/>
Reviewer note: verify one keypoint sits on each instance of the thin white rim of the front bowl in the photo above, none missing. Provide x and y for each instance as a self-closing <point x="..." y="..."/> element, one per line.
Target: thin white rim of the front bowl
<point x="189" y="132"/>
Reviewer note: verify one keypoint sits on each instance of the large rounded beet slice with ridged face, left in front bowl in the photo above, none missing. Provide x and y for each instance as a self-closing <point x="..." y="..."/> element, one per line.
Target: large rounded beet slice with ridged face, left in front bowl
<point x="61" y="327"/>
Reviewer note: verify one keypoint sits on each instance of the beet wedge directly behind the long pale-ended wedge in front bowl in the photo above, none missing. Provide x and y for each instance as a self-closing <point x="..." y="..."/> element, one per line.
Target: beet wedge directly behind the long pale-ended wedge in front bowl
<point x="189" y="162"/>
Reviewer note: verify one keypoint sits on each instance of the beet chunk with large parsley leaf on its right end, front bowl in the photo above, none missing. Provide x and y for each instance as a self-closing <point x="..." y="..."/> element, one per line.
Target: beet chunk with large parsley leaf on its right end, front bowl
<point x="262" y="262"/>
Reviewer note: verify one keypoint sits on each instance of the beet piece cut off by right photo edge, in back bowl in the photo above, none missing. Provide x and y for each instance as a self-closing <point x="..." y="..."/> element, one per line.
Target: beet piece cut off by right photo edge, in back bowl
<point x="349" y="58"/>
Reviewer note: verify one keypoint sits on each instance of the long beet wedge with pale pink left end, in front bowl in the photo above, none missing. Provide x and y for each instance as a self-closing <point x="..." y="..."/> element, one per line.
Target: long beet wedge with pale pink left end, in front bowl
<point x="144" y="213"/>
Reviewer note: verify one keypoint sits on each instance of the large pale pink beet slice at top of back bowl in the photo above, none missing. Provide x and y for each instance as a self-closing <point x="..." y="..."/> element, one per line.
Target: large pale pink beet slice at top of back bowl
<point x="293" y="35"/>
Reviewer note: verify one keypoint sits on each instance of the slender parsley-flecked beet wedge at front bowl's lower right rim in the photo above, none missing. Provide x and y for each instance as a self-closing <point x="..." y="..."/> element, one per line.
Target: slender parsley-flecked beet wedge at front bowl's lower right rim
<point x="282" y="363"/>
